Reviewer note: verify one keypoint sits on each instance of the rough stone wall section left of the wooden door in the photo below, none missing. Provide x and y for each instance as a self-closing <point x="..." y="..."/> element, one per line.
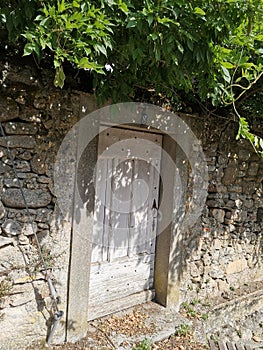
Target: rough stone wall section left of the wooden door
<point x="35" y="118"/>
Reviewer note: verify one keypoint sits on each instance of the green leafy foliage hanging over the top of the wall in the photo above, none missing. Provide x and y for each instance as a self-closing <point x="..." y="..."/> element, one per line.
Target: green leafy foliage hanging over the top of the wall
<point x="205" y="50"/>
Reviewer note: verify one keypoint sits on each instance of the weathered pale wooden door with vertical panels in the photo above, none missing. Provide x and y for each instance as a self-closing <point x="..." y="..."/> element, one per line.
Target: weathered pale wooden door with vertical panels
<point x="125" y="220"/>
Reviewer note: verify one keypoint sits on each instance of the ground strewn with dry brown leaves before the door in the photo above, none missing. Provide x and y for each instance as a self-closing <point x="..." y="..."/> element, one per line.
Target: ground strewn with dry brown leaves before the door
<point x="123" y="333"/>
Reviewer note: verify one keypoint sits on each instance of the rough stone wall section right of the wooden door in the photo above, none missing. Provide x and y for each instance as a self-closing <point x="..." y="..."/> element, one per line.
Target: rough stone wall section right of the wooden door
<point x="223" y="252"/>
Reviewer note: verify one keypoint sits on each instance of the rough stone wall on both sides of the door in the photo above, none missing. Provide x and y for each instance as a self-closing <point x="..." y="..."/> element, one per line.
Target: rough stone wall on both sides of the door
<point x="223" y="252"/>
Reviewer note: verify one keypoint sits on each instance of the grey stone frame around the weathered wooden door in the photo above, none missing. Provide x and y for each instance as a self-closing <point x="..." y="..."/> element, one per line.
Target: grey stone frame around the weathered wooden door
<point x="167" y="255"/>
